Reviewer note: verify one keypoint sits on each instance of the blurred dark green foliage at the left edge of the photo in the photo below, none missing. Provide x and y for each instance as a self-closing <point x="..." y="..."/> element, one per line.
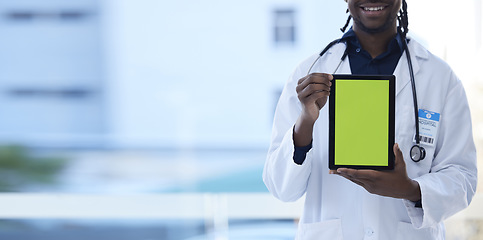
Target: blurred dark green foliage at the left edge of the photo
<point x="20" y="169"/>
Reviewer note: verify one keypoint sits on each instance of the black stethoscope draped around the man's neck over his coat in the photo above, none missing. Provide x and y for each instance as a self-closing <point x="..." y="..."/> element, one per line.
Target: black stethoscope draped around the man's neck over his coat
<point x="417" y="152"/>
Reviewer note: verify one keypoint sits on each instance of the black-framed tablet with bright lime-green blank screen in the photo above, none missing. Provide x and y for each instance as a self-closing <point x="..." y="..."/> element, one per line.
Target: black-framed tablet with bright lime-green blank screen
<point x="361" y="122"/>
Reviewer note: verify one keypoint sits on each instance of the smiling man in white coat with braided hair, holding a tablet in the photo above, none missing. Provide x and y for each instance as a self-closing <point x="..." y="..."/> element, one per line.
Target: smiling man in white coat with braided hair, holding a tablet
<point x="409" y="202"/>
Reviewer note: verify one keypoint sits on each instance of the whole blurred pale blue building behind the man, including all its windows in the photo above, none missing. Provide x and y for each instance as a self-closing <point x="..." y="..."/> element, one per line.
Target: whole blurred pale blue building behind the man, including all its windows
<point x="151" y="74"/>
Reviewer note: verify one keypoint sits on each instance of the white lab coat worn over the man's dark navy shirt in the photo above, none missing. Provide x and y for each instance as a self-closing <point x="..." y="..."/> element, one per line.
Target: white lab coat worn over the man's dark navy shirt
<point x="336" y="208"/>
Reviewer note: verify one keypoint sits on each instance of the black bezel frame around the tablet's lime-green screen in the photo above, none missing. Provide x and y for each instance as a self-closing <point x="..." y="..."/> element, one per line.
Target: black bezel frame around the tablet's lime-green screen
<point x="392" y="106"/>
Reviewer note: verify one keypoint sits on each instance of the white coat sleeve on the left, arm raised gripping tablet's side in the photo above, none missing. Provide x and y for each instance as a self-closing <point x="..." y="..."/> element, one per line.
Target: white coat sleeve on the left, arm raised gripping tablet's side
<point x="285" y="179"/>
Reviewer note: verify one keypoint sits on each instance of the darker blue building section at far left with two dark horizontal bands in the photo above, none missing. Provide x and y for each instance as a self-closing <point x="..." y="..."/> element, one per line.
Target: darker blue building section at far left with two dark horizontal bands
<point x="51" y="73"/>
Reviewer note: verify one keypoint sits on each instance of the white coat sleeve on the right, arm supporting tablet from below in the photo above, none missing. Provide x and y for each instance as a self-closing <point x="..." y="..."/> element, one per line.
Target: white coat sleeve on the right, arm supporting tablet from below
<point x="451" y="183"/>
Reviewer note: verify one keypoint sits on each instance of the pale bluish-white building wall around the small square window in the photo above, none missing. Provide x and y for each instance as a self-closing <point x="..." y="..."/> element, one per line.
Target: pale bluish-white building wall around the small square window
<point x="203" y="74"/>
